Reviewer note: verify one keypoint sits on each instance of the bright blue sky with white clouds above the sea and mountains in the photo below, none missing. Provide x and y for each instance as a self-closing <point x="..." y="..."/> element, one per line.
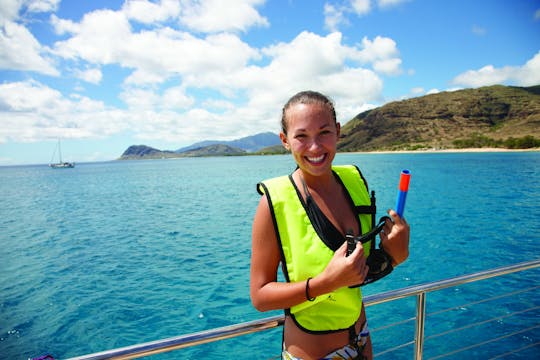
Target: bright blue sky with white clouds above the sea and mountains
<point x="104" y="75"/>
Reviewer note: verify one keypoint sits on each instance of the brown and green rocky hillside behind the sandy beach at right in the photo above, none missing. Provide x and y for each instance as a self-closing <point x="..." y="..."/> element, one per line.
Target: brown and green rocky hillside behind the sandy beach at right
<point x="495" y="116"/>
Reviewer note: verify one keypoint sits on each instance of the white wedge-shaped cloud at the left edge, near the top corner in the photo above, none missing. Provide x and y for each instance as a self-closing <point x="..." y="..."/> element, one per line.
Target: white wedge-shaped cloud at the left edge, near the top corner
<point x="19" y="50"/>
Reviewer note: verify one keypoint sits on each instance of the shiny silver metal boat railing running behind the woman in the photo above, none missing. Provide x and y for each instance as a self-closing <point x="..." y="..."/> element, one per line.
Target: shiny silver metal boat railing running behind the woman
<point x="198" y="338"/>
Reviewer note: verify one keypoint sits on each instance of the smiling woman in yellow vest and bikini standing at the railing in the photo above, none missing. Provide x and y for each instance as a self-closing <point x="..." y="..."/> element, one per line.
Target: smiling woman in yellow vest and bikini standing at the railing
<point x="302" y="221"/>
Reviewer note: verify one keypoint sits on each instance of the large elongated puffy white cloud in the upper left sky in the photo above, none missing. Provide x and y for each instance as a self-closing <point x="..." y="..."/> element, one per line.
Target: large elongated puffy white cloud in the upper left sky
<point x="154" y="55"/>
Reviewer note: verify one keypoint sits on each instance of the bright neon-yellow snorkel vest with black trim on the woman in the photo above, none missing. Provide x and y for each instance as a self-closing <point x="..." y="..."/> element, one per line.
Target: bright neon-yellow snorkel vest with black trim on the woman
<point x="305" y="255"/>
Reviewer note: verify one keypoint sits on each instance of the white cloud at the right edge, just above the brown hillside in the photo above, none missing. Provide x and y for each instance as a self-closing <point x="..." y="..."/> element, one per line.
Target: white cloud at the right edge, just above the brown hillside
<point x="526" y="75"/>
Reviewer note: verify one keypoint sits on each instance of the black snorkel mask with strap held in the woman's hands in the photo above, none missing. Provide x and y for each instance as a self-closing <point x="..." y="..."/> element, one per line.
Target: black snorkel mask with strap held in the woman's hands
<point x="379" y="262"/>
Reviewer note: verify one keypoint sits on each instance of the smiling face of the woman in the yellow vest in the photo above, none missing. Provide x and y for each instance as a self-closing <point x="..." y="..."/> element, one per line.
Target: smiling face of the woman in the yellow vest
<point x="312" y="136"/>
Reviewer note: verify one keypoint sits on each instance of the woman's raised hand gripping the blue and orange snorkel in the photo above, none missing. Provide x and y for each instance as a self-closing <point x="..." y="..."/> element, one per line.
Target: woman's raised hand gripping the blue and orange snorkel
<point x="395" y="238"/>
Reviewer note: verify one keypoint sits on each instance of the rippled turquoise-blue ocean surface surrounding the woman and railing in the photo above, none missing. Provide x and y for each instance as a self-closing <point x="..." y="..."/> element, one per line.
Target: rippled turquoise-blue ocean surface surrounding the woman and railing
<point x="113" y="254"/>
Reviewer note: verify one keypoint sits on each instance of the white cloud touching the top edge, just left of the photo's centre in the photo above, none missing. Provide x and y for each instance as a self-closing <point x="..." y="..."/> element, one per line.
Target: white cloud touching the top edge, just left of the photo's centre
<point x="216" y="15"/>
